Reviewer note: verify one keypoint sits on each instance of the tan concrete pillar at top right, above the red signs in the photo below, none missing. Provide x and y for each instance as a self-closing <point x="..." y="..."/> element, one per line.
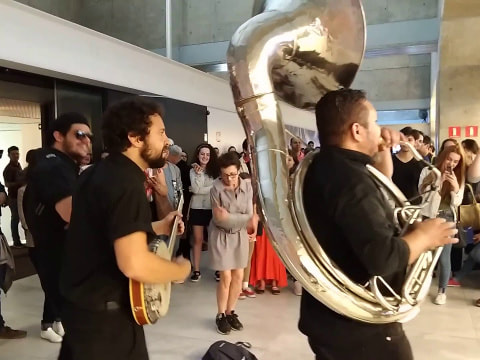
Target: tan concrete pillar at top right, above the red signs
<point x="459" y="70"/>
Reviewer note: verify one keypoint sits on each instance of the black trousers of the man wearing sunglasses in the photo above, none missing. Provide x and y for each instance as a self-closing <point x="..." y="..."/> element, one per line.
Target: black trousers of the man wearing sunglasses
<point x="48" y="265"/>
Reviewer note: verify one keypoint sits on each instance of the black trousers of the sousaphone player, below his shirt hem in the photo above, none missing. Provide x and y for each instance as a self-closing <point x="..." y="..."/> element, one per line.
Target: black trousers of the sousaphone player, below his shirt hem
<point x="388" y="343"/>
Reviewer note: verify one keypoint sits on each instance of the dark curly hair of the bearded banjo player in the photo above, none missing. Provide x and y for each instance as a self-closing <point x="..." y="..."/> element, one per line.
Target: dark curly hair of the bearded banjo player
<point x="129" y="116"/>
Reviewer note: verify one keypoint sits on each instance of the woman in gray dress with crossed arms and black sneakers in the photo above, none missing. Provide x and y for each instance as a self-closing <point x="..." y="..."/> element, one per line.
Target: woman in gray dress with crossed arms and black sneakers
<point x="232" y="207"/>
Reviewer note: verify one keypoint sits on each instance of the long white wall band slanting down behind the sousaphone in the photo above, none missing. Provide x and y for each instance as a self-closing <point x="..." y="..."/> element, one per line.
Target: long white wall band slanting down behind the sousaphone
<point x="47" y="45"/>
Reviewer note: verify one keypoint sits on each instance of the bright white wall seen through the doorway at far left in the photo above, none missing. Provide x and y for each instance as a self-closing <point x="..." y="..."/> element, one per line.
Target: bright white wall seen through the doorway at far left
<point x="25" y="136"/>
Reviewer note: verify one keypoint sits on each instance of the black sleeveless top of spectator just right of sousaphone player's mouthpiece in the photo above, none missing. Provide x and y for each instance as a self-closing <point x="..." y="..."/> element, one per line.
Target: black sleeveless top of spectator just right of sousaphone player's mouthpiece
<point x="406" y="177"/>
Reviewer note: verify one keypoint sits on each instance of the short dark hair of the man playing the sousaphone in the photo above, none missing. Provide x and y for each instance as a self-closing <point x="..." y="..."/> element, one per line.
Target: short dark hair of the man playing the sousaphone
<point x="336" y="111"/>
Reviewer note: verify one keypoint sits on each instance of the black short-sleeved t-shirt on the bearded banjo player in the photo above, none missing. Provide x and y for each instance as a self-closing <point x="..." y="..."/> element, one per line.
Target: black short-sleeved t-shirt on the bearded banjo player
<point x="109" y="203"/>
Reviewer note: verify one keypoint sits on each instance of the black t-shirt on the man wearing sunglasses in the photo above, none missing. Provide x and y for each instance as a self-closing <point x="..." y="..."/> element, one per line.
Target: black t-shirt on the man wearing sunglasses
<point x="51" y="180"/>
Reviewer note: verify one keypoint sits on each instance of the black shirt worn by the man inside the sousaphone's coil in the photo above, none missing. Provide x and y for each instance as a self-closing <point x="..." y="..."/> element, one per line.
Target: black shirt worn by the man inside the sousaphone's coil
<point x="354" y="224"/>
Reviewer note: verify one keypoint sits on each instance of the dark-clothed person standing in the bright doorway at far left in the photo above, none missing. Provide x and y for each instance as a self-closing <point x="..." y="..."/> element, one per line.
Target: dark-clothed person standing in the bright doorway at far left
<point x="13" y="181"/>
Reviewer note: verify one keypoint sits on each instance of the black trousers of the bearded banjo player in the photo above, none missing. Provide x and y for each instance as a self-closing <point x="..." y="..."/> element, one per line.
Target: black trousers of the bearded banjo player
<point x="101" y="335"/>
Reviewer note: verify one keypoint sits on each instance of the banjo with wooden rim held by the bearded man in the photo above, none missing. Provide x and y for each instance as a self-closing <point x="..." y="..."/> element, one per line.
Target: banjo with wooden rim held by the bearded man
<point x="149" y="302"/>
